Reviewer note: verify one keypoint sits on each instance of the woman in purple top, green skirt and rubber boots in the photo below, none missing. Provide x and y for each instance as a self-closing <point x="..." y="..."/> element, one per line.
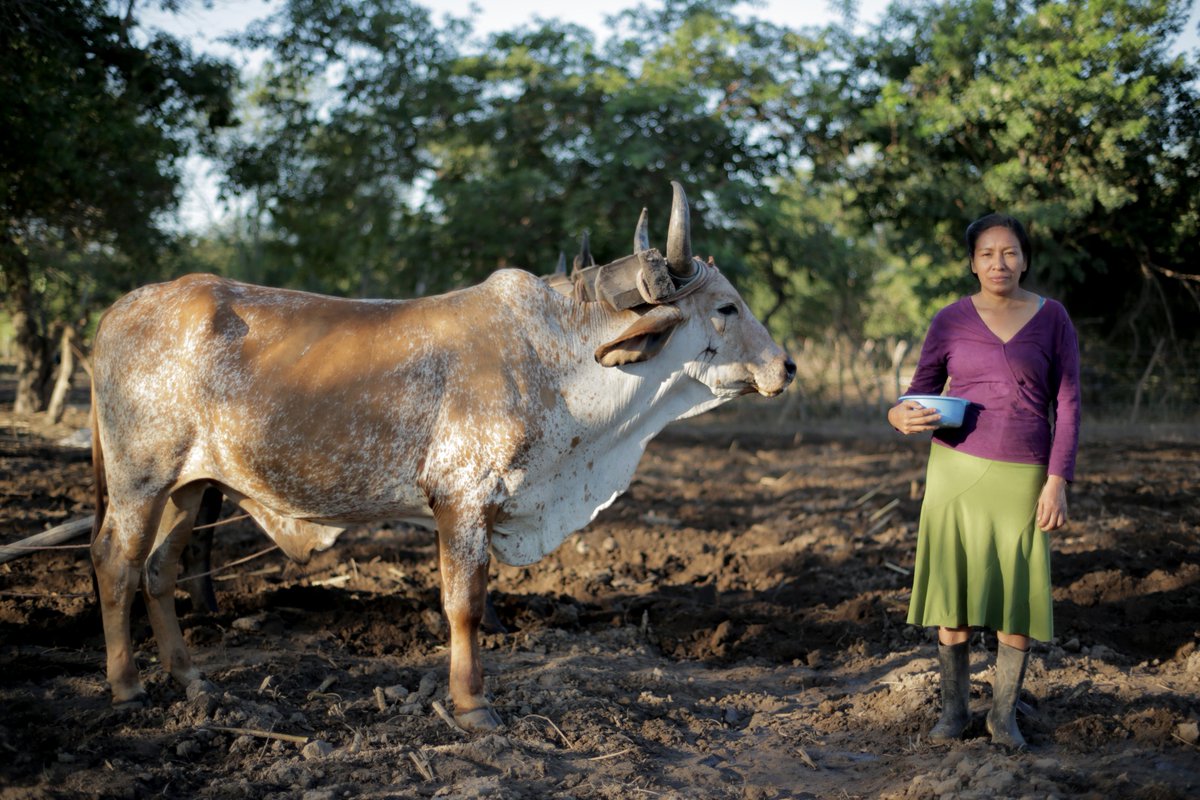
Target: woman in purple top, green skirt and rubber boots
<point x="998" y="484"/>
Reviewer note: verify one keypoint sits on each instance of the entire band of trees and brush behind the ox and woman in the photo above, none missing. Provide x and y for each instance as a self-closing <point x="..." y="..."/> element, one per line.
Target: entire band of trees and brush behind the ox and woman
<point x="379" y="152"/>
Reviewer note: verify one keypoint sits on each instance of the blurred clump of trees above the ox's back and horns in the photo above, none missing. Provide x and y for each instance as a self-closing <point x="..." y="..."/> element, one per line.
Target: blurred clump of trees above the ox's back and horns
<point x="387" y="154"/>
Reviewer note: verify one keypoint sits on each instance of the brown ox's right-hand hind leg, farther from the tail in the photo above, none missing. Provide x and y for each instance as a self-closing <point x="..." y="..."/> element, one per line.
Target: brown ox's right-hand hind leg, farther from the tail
<point x="159" y="586"/>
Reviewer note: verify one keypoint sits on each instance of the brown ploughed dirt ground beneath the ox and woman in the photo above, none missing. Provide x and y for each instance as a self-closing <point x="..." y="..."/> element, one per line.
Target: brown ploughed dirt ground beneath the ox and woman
<point x="734" y="627"/>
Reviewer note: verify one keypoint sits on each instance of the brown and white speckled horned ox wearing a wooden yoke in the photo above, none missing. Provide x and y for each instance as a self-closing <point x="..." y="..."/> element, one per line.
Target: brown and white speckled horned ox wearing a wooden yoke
<point x="506" y="416"/>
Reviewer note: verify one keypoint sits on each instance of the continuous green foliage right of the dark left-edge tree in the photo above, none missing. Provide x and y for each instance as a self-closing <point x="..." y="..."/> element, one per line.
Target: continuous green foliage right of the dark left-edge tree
<point x="832" y="173"/>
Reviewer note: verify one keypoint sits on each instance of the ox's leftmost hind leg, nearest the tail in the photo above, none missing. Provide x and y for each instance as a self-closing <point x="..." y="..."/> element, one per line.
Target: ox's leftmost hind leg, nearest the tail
<point x="118" y="552"/>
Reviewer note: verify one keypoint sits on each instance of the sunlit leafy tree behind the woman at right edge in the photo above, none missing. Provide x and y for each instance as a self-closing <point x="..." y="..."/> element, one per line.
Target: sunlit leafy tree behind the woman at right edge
<point x="1072" y="117"/>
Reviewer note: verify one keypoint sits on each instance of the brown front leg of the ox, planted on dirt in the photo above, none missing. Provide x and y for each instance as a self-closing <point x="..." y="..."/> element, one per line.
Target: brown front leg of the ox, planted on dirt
<point x="463" y="560"/>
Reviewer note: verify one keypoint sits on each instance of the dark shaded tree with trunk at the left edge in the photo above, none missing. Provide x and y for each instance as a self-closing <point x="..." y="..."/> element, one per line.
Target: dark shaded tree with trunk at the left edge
<point x="94" y="127"/>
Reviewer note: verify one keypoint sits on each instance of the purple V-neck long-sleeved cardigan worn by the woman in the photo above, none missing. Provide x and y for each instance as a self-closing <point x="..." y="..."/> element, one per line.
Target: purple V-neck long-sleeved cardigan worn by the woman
<point x="1024" y="394"/>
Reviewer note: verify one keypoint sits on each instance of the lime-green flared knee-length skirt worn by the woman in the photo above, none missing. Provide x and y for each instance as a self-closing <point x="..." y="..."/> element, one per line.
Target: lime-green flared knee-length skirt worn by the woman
<point x="982" y="561"/>
